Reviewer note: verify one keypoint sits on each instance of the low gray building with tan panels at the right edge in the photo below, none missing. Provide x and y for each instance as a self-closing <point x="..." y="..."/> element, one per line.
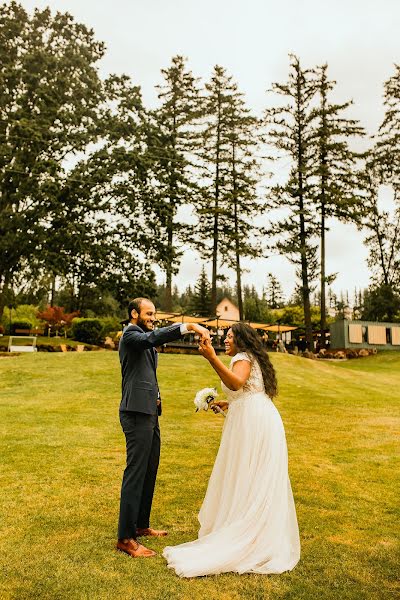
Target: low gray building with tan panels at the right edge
<point x="365" y="334"/>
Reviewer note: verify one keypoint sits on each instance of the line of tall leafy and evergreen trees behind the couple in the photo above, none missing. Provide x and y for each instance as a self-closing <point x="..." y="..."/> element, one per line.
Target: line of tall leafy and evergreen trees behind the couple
<point x="95" y="187"/>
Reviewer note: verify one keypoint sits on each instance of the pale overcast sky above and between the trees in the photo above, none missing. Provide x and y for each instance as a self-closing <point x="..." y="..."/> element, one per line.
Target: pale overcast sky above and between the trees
<point x="359" y="39"/>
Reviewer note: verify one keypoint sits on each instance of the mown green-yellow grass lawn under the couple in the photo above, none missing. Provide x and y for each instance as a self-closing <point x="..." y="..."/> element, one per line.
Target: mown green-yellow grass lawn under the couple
<point x="62" y="456"/>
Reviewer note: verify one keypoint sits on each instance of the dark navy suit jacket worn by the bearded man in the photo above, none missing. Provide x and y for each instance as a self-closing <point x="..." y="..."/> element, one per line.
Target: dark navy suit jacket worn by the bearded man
<point x="138" y="359"/>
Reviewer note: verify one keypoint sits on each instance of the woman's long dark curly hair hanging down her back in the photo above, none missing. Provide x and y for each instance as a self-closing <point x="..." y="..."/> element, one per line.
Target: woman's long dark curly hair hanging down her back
<point x="247" y="340"/>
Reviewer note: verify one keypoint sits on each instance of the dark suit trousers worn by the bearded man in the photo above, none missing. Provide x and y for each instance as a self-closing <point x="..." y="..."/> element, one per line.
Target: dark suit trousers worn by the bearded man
<point x="142" y="436"/>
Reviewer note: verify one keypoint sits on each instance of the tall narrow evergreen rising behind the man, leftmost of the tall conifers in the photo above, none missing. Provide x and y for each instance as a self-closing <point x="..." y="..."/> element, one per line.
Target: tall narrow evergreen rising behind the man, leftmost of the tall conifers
<point x="172" y="146"/>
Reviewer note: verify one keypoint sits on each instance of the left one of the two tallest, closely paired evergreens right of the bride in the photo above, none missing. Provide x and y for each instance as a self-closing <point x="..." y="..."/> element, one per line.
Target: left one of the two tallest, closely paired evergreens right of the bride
<point x="291" y="132"/>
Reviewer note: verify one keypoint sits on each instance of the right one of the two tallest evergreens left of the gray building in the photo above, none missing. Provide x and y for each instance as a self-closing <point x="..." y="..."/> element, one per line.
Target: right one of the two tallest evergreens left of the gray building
<point x="337" y="193"/>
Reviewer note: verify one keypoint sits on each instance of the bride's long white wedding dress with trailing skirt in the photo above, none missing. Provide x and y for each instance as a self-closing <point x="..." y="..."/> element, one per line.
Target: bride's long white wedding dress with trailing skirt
<point x="248" y="519"/>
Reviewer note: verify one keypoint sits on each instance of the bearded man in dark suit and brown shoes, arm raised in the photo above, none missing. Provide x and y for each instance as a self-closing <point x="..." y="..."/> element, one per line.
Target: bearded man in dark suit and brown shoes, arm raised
<point x="139" y="410"/>
